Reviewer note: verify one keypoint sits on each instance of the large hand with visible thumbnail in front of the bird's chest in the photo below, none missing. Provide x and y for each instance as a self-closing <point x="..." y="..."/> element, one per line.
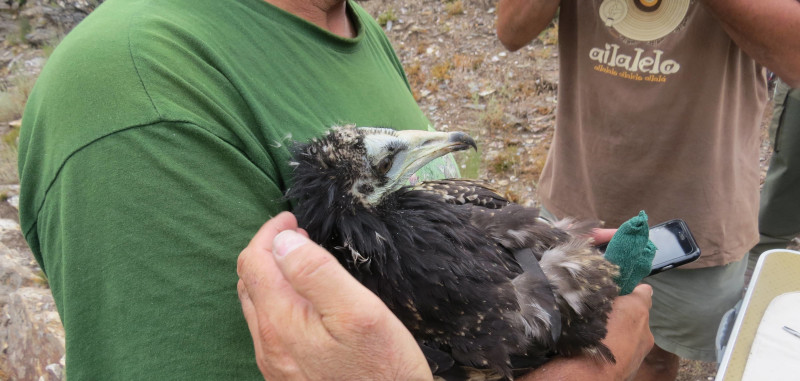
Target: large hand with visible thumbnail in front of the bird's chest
<point x="310" y="319"/>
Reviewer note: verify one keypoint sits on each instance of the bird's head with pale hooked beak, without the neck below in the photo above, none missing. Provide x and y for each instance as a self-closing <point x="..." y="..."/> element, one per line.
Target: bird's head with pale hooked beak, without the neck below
<point x="359" y="166"/>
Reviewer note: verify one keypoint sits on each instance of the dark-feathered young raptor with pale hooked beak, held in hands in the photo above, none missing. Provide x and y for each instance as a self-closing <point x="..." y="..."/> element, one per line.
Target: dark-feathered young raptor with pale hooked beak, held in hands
<point x="487" y="288"/>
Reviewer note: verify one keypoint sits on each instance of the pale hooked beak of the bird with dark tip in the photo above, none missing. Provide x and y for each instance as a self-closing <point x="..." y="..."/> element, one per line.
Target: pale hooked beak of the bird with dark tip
<point x="424" y="146"/>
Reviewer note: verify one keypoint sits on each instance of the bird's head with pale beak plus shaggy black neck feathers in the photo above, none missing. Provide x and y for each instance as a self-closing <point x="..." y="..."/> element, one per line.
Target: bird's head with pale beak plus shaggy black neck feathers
<point x="343" y="182"/>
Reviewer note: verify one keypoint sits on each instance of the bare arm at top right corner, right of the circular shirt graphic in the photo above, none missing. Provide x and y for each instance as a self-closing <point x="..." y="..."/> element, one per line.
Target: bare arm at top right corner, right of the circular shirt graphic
<point x="766" y="30"/>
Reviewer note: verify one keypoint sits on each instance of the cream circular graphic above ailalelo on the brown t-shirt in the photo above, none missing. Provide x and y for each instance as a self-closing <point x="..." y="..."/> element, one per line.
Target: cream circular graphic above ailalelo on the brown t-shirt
<point x="643" y="20"/>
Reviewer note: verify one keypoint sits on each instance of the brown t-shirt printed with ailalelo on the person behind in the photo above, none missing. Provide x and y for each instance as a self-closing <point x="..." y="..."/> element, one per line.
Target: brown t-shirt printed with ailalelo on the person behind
<point x="670" y="126"/>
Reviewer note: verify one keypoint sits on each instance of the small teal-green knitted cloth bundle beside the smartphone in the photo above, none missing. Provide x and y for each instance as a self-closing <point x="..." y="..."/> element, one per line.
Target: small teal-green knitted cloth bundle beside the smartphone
<point x="632" y="251"/>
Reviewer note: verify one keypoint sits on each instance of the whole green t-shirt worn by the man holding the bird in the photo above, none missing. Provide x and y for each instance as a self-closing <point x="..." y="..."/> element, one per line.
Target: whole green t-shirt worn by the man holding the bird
<point x="154" y="146"/>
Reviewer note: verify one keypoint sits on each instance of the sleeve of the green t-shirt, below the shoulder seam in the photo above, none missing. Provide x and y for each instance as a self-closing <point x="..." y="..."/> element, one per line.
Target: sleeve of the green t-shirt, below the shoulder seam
<point x="143" y="229"/>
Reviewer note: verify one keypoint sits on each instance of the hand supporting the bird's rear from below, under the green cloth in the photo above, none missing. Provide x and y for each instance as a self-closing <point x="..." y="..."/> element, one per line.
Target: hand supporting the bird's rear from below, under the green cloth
<point x="629" y="339"/>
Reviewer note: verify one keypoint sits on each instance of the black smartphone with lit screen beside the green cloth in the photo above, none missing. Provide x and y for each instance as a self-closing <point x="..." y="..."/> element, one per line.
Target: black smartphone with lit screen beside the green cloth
<point x="675" y="245"/>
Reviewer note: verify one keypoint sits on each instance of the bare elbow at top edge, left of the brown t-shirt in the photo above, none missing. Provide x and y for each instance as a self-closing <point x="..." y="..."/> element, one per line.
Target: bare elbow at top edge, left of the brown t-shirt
<point x="520" y="21"/>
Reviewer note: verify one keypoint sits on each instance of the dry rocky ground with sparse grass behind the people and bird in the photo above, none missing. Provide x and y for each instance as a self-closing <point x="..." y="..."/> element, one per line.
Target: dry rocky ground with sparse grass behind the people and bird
<point x="461" y="75"/>
